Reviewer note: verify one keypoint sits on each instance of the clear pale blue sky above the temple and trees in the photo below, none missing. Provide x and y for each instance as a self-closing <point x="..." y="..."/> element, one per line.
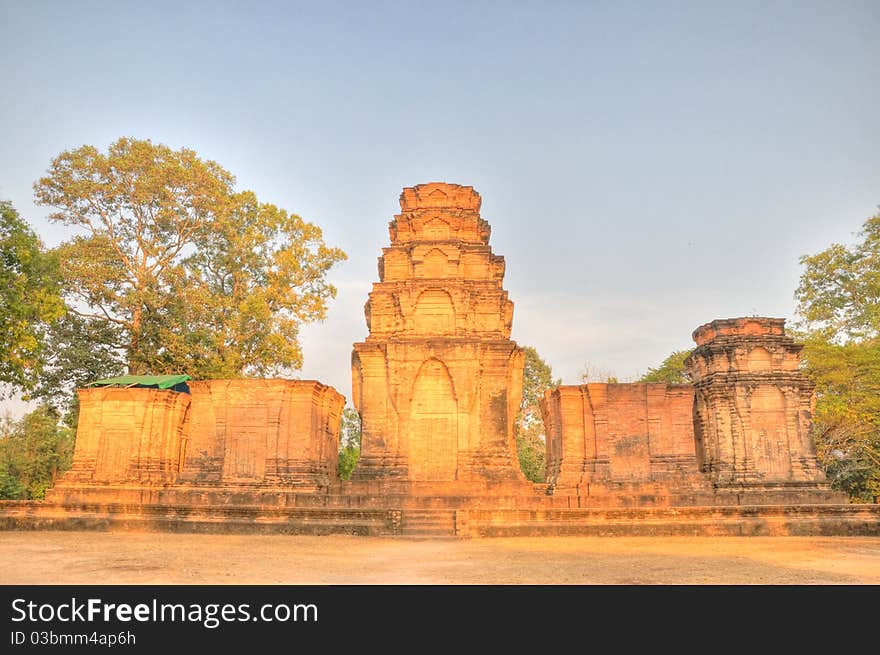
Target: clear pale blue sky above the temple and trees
<point x="646" y="167"/>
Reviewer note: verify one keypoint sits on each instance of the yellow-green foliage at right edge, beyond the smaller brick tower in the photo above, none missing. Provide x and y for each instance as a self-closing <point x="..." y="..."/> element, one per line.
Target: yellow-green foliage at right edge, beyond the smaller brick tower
<point x="839" y="309"/>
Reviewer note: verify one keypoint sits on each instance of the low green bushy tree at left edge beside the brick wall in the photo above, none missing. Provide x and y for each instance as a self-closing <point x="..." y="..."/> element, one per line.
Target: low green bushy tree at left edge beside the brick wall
<point x="34" y="451"/>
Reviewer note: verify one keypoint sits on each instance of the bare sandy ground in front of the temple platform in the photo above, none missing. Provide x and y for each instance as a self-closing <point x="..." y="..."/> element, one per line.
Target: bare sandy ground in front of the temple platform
<point x="150" y="558"/>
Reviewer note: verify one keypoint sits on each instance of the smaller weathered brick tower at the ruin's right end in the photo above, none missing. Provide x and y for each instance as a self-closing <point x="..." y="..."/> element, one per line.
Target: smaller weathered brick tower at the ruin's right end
<point x="752" y="406"/>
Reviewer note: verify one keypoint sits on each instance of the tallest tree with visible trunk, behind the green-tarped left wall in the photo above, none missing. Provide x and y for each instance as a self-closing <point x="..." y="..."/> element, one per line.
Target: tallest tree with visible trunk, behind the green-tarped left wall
<point x="141" y="206"/>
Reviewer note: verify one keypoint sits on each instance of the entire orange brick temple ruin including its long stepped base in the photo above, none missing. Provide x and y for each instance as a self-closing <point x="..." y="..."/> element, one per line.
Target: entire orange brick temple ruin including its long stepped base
<point x="437" y="383"/>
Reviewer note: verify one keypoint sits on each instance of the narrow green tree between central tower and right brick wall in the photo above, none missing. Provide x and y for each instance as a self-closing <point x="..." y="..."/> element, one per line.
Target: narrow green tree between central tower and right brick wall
<point x="529" y="427"/>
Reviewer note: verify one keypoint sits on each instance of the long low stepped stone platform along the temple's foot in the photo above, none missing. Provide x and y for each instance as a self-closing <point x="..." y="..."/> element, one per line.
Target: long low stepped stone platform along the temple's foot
<point x="437" y="518"/>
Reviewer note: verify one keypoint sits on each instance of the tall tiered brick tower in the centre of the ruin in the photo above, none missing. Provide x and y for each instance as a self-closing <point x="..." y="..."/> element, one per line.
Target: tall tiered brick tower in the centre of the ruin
<point x="438" y="382"/>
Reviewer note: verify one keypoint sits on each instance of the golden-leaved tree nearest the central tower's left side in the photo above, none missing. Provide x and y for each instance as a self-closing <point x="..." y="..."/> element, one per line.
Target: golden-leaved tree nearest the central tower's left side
<point x="256" y="276"/>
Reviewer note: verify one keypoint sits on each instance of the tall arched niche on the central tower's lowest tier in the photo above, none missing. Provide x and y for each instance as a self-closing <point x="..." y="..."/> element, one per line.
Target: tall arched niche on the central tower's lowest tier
<point x="433" y="434"/>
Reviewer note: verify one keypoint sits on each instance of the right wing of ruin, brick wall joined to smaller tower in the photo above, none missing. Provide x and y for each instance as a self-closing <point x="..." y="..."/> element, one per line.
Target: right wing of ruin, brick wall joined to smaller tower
<point x="738" y="435"/>
